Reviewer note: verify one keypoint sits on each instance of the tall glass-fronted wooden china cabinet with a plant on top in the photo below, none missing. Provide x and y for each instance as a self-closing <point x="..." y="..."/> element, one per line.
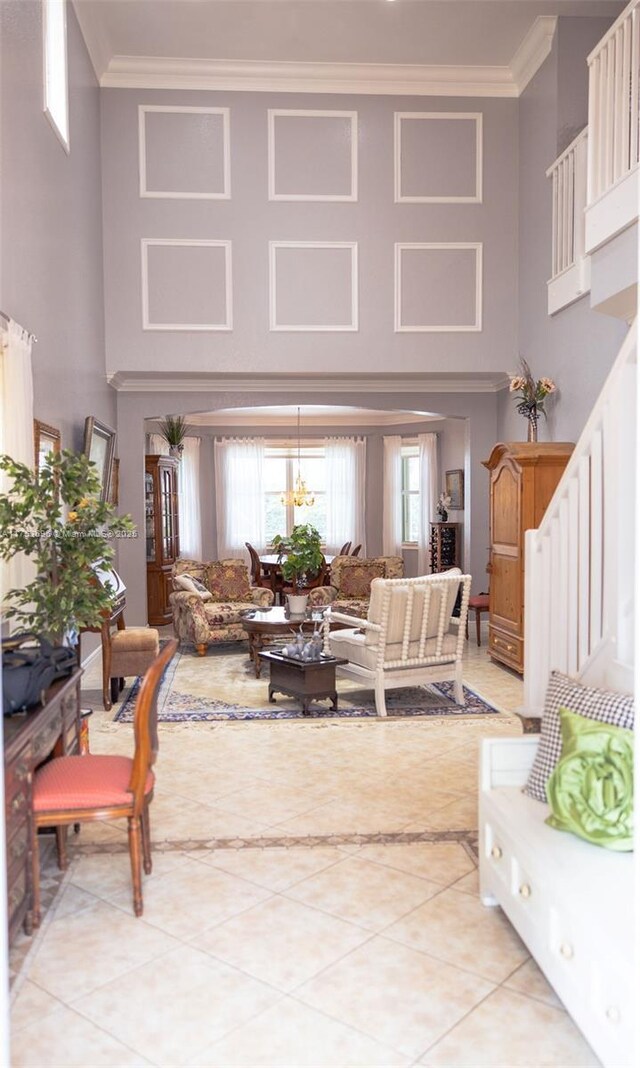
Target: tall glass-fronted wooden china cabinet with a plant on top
<point x="162" y="535"/>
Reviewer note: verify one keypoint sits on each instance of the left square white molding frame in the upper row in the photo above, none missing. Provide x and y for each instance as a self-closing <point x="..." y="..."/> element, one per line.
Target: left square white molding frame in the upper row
<point x="199" y="148"/>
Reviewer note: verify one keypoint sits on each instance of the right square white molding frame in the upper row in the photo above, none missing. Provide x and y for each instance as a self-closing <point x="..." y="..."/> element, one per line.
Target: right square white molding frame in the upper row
<point x="438" y="158"/>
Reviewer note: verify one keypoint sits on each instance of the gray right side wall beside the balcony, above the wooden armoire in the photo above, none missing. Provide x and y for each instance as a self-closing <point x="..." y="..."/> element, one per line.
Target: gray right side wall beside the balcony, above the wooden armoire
<point x="576" y="347"/>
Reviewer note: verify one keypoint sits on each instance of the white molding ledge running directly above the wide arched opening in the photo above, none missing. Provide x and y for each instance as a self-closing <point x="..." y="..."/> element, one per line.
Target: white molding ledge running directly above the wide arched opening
<point x="151" y="382"/>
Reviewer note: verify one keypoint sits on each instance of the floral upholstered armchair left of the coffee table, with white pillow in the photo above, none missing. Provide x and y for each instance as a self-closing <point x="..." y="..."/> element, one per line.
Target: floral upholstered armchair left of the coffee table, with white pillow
<point x="210" y="600"/>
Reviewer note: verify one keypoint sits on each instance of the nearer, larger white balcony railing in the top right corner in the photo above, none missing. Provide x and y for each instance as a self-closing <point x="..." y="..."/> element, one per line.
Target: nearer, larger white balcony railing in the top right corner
<point x="614" y="100"/>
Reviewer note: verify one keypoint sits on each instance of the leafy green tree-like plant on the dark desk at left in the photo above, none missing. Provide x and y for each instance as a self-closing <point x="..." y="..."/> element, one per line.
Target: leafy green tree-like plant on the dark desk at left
<point x="66" y="594"/>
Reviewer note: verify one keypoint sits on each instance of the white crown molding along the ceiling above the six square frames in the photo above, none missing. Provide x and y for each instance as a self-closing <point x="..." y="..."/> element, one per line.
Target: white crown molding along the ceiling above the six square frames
<point x="147" y="72"/>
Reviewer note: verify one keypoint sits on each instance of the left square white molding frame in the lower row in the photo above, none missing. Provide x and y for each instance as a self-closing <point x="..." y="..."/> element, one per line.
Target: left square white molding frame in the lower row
<point x="186" y="276"/>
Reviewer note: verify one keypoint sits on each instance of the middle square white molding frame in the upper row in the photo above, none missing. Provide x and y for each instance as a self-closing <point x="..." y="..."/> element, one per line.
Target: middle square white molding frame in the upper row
<point x="316" y="159"/>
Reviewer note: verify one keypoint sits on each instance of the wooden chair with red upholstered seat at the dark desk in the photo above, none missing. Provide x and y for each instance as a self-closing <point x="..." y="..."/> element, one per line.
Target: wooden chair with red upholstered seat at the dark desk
<point x="76" y="790"/>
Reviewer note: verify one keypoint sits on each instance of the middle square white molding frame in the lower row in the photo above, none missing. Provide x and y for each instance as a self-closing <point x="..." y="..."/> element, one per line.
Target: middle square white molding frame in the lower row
<point x="314" y="286"/>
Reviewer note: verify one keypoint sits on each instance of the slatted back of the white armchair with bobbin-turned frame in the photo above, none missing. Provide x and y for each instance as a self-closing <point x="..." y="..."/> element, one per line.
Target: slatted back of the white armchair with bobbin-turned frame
<point x="398" y="604"/>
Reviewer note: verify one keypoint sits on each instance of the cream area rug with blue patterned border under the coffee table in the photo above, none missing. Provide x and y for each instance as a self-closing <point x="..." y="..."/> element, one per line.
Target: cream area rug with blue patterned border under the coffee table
<point x="223" y="686"/>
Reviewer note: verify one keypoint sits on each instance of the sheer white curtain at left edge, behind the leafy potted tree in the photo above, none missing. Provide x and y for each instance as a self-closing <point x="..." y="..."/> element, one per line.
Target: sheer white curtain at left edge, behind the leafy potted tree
<point x="17" y="431"/>
